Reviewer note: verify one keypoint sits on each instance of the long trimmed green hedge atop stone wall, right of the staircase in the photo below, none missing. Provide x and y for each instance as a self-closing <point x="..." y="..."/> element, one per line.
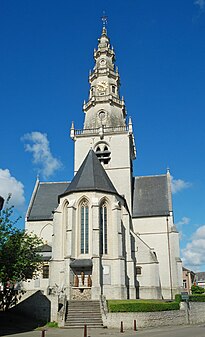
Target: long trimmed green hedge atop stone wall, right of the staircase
<point x="141" y="306"/>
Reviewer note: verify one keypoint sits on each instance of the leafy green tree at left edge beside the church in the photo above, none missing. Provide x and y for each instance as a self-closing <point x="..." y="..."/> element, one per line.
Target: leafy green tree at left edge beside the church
<point x="19" y="257"/>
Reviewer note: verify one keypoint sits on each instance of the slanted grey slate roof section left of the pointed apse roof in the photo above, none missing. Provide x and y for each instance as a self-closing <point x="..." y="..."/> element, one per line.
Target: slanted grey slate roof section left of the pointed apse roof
<point x="45" y="200"/>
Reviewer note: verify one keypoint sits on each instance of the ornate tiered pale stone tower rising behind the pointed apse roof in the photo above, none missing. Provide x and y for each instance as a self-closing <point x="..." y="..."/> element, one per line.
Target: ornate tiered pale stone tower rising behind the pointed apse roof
<point x="105" y="129"/>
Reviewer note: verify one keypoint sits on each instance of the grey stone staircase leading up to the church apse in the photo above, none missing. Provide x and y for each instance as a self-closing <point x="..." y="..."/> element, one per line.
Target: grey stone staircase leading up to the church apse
<point x="79" y="313"/>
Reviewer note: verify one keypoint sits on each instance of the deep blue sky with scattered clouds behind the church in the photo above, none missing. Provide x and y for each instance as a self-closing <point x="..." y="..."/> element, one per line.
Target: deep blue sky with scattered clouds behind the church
<point x="46" y="53"/>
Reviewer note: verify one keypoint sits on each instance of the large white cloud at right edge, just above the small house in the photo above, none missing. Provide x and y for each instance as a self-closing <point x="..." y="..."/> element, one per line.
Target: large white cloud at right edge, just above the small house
<point x="193" y="254"/>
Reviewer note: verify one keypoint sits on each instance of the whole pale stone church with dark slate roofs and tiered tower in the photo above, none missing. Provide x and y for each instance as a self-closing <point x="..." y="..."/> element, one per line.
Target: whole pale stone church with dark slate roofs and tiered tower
<point x="106" y="232"/>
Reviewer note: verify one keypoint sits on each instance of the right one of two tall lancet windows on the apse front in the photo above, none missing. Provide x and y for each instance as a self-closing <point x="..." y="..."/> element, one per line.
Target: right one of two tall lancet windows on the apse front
<point x="103" y="228"/>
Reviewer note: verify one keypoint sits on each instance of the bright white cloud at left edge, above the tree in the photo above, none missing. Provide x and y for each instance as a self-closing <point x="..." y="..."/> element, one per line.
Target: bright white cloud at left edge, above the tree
<point x="9" y="185"/>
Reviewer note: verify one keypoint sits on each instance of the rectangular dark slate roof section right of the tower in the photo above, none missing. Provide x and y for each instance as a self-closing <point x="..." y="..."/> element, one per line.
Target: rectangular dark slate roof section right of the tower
<point x="150" y="196"/>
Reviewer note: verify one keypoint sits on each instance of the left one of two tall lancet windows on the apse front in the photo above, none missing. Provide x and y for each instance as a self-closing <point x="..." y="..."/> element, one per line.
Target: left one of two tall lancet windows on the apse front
<point x="84" y="227"/>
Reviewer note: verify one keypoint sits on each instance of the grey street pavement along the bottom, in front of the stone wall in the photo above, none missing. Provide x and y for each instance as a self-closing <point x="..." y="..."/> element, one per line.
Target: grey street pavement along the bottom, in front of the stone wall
<point x="179" y="331"/>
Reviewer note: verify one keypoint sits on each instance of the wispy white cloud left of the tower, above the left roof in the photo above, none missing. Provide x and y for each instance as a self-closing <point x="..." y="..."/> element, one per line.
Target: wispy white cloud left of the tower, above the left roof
<point x="37" y="143"/>
